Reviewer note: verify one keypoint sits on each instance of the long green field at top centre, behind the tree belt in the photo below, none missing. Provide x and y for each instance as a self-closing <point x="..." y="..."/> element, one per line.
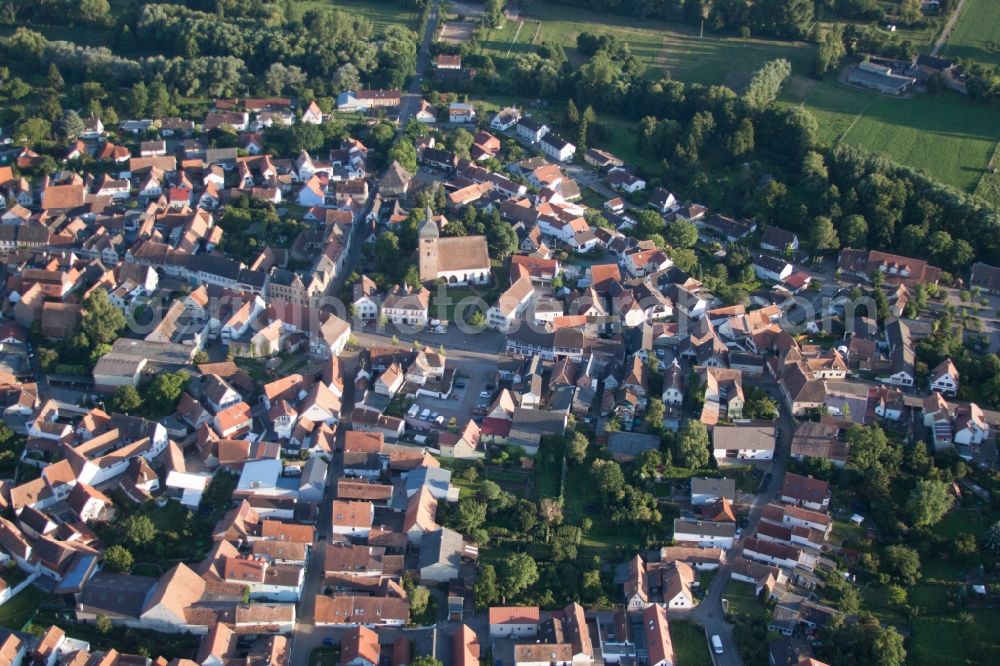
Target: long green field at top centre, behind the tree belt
<point x="665" y="48"/>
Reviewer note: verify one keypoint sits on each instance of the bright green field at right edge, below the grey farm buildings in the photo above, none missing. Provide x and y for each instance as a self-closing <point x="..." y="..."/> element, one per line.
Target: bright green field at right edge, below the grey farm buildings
<point x="944" y="135"/>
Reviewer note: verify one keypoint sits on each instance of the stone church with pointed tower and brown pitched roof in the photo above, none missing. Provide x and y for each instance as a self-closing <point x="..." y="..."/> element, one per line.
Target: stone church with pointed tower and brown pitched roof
<point x="459" y="260"/>
